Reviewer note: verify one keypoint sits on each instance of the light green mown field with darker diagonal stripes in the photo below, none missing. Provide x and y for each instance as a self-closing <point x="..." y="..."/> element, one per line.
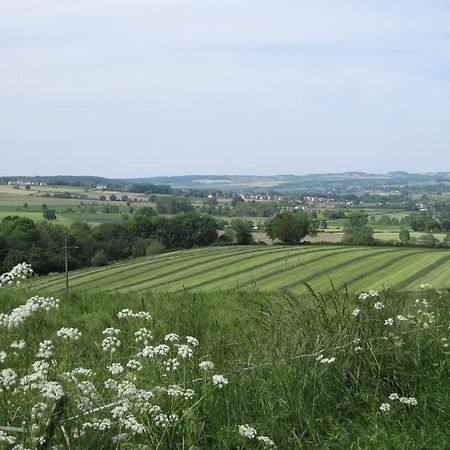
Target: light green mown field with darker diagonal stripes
<point x="266" y="268"/>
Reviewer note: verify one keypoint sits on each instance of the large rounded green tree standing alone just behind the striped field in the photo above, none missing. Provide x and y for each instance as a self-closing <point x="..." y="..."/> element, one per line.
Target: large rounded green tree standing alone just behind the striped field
<point x="291" y="228"/>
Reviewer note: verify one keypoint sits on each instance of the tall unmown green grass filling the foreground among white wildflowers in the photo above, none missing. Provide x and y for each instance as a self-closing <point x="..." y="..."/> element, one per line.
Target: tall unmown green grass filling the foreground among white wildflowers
<point x="308" y="372"/>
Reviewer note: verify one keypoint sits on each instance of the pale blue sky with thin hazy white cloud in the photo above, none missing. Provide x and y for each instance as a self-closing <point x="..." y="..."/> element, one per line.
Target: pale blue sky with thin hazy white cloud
<point x="136" y="88"/>
